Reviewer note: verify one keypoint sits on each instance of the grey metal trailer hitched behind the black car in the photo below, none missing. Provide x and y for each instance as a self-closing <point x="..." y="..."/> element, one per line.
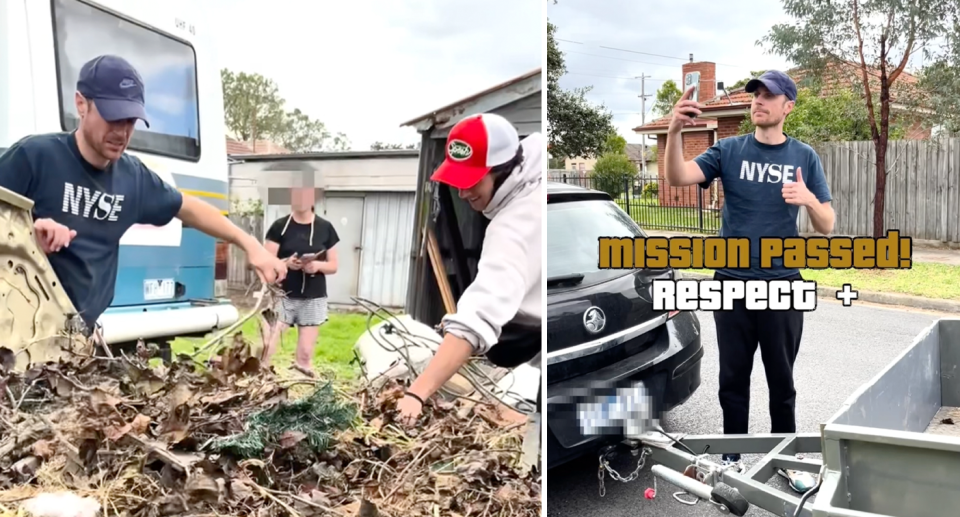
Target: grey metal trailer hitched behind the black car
<point x="892" y="450"/>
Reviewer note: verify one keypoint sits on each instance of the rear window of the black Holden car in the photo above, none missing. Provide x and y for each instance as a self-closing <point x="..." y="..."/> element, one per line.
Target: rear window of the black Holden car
<point x="573" y="232"/>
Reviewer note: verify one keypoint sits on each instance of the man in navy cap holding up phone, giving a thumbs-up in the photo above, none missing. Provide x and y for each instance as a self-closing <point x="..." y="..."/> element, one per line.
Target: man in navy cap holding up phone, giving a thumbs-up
<point x="766" y="176"/>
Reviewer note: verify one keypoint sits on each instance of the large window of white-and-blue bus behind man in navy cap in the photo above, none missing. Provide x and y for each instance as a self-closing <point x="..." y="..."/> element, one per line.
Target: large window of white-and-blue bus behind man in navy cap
<point x="168" y="67"/>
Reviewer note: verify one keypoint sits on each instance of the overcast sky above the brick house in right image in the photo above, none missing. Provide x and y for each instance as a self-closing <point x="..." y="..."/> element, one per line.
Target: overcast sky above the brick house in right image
<point x="722" y="32"/>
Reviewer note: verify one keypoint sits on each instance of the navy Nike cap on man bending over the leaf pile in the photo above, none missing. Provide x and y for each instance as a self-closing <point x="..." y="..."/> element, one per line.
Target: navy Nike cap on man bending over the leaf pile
<point x="115" y="86"/>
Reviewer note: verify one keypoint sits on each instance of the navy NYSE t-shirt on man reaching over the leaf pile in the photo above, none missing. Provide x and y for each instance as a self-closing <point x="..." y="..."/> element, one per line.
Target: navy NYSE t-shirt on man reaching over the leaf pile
<point x="99" y="204"/>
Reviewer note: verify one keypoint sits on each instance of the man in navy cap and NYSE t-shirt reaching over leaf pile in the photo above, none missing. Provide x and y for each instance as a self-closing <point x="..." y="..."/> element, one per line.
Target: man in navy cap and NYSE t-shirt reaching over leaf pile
<point x="87" y="191"/>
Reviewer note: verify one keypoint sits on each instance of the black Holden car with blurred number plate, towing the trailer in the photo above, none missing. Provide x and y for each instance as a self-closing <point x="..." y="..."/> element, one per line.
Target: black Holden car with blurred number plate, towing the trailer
<point x="601" y="325"/>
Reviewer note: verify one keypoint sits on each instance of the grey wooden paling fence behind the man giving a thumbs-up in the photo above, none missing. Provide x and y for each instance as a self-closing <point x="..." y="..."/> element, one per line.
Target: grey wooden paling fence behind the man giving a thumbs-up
<point x="922" y="192"/>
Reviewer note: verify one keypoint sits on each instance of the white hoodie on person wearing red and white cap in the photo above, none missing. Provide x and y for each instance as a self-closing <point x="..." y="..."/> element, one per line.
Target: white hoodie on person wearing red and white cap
<point x="509" y="278"/>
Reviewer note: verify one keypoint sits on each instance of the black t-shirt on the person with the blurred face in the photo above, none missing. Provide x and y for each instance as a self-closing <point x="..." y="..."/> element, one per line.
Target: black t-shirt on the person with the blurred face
<point x="294" y="237"/>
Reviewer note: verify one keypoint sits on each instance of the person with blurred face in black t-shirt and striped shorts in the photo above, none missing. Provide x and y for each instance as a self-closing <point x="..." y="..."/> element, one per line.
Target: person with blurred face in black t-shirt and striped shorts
<point x="307" y="243"/>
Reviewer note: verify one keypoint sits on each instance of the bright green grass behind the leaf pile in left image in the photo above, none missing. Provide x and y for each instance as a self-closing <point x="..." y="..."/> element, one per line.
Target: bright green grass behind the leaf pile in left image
<point x="333" y="352"/>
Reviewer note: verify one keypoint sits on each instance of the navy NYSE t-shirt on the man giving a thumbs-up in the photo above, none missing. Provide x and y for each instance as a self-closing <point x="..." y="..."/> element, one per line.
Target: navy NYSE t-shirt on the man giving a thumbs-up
<point x="752" y="174"/>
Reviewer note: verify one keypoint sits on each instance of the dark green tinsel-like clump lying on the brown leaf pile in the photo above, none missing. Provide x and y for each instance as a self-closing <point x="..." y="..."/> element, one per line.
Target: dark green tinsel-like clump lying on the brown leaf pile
<point x="317" y="416"/>
